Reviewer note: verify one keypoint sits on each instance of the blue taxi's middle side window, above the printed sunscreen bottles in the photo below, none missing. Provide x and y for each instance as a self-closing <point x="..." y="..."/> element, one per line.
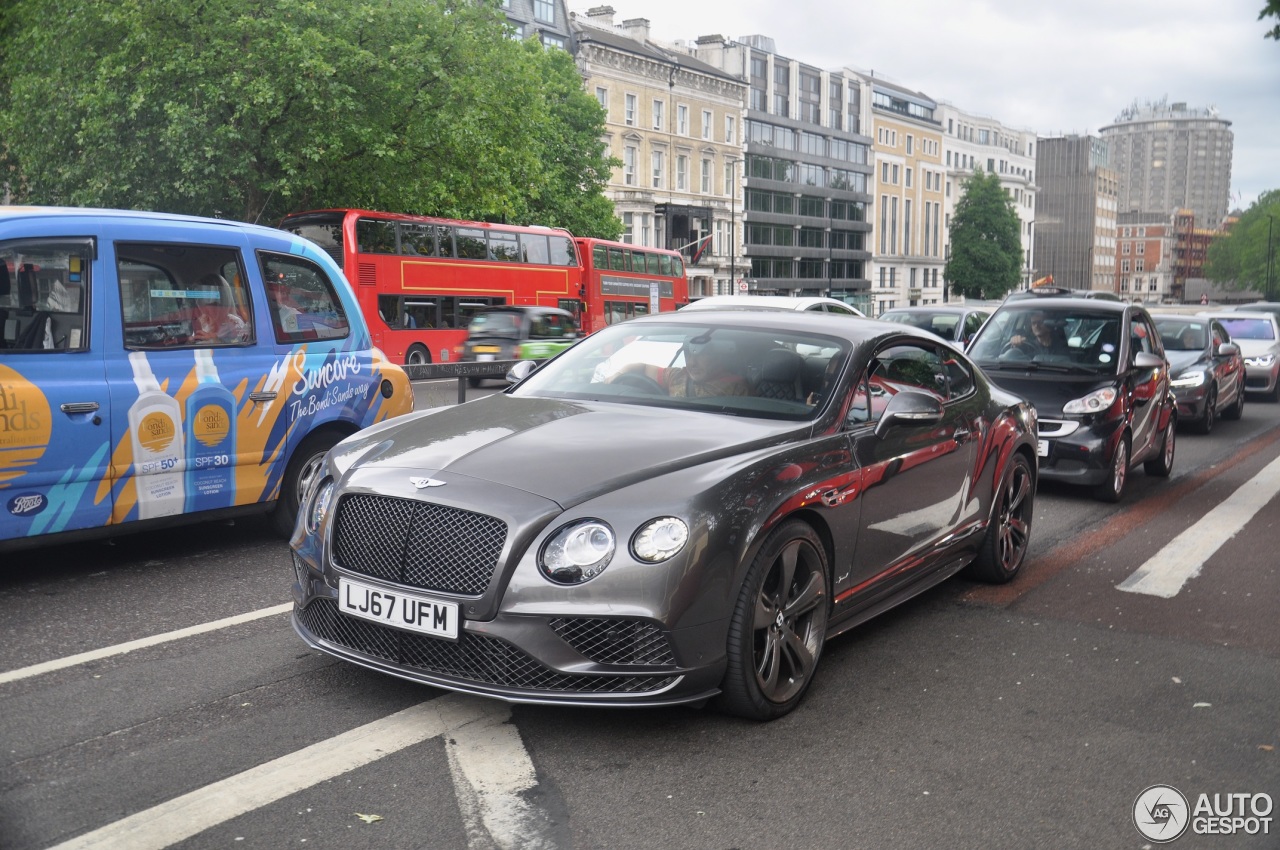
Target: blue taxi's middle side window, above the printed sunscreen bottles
<point x="195" y="299"/>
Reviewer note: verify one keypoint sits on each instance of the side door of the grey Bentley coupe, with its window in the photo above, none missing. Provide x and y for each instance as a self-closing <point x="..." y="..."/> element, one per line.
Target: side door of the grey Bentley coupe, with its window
<point x="916" y="478"/>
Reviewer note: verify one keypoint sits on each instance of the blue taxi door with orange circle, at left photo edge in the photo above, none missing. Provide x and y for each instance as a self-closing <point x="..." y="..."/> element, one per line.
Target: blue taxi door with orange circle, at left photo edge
<point x="56" y="412"/>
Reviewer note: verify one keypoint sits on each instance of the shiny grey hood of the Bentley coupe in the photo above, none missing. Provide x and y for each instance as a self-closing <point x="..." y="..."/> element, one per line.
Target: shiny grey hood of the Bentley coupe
<point x="565" y="451"/>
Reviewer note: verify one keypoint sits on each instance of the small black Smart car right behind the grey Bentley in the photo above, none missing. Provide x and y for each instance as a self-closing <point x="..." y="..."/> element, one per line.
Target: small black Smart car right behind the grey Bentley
<point x="1098" y="376"/>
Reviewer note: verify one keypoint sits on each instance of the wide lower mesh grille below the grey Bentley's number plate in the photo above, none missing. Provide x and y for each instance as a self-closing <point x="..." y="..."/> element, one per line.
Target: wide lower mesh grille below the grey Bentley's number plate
<point x="474" y="659"/>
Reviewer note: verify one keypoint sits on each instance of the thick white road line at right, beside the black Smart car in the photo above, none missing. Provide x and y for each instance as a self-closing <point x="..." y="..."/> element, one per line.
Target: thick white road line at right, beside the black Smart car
<point x="1181" y="561"/>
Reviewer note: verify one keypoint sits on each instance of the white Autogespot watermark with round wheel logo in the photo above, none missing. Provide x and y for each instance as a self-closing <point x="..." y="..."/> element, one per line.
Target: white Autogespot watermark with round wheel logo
<point x="1163" y="814"/>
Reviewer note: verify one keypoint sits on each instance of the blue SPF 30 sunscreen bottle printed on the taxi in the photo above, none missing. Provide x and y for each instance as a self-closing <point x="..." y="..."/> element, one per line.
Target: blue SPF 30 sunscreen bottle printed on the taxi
<point x="211" y="432"/>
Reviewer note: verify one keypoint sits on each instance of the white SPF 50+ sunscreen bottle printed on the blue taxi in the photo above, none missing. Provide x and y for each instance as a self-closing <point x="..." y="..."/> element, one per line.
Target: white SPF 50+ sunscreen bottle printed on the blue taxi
<point x="156" y="432"/>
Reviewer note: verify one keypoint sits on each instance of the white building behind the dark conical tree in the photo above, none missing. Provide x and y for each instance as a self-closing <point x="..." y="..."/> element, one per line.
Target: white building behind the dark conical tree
<point x="975" y="143"/>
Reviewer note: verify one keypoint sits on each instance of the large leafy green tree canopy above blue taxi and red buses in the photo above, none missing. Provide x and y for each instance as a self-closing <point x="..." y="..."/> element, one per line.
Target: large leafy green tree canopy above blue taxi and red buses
<point x="249" y="111"/>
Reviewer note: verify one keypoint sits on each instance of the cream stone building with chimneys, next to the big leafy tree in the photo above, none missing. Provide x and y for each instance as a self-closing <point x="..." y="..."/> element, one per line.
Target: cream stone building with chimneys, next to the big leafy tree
<point x="676" y="124"/>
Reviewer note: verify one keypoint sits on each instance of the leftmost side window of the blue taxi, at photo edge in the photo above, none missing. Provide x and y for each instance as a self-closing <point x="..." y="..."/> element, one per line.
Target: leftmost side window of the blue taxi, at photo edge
<point x="44" y="295"/>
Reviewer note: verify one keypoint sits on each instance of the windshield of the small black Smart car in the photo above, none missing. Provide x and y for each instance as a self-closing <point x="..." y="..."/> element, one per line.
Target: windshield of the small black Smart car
<point x="1073" y="339"/>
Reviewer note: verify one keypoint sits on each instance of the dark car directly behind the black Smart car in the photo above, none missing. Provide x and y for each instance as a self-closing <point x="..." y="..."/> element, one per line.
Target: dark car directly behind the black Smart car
<point x="1206" y="369"/>
